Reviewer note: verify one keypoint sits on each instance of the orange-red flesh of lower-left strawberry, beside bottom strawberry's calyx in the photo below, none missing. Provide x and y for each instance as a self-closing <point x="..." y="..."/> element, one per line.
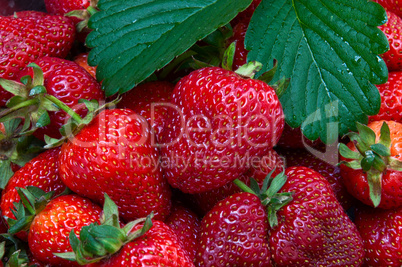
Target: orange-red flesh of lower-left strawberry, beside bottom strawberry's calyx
<point x="50" y="229"/>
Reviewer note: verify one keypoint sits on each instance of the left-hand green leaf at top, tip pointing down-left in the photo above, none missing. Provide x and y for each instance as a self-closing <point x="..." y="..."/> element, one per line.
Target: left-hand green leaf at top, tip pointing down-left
<point x="133" y="38"/>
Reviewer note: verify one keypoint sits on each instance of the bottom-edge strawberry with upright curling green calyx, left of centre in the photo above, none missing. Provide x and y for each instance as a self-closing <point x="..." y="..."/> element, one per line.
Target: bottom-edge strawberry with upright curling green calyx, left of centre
<point x="139" y="243"/>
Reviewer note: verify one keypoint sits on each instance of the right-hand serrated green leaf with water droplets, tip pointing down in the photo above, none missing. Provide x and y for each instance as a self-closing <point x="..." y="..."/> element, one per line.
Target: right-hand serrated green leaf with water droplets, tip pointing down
<point x="329" y="50"/>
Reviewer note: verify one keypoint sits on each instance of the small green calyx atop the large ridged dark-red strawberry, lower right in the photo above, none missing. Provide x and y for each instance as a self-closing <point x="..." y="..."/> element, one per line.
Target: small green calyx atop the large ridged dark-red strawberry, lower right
<point x="269" y="194"/>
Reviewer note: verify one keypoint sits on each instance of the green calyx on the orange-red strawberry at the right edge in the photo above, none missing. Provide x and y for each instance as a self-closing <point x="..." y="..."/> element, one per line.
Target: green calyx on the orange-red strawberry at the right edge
<point x="372" y="157"/>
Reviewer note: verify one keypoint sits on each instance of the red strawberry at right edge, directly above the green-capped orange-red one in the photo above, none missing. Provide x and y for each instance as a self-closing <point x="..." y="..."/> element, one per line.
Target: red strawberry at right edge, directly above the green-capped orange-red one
<point x="391" y="99"/>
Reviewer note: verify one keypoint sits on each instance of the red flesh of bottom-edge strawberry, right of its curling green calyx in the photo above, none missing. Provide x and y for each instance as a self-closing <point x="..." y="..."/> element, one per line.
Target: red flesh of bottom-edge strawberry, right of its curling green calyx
<point x="157" y="247"/>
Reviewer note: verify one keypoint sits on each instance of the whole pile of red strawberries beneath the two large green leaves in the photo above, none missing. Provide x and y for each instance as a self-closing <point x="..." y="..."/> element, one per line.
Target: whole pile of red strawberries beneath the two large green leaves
<point x="198" y="171"/>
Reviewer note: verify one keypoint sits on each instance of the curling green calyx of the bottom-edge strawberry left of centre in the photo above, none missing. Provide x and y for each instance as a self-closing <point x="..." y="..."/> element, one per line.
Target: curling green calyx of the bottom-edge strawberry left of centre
<point x="98" y="242"/>
